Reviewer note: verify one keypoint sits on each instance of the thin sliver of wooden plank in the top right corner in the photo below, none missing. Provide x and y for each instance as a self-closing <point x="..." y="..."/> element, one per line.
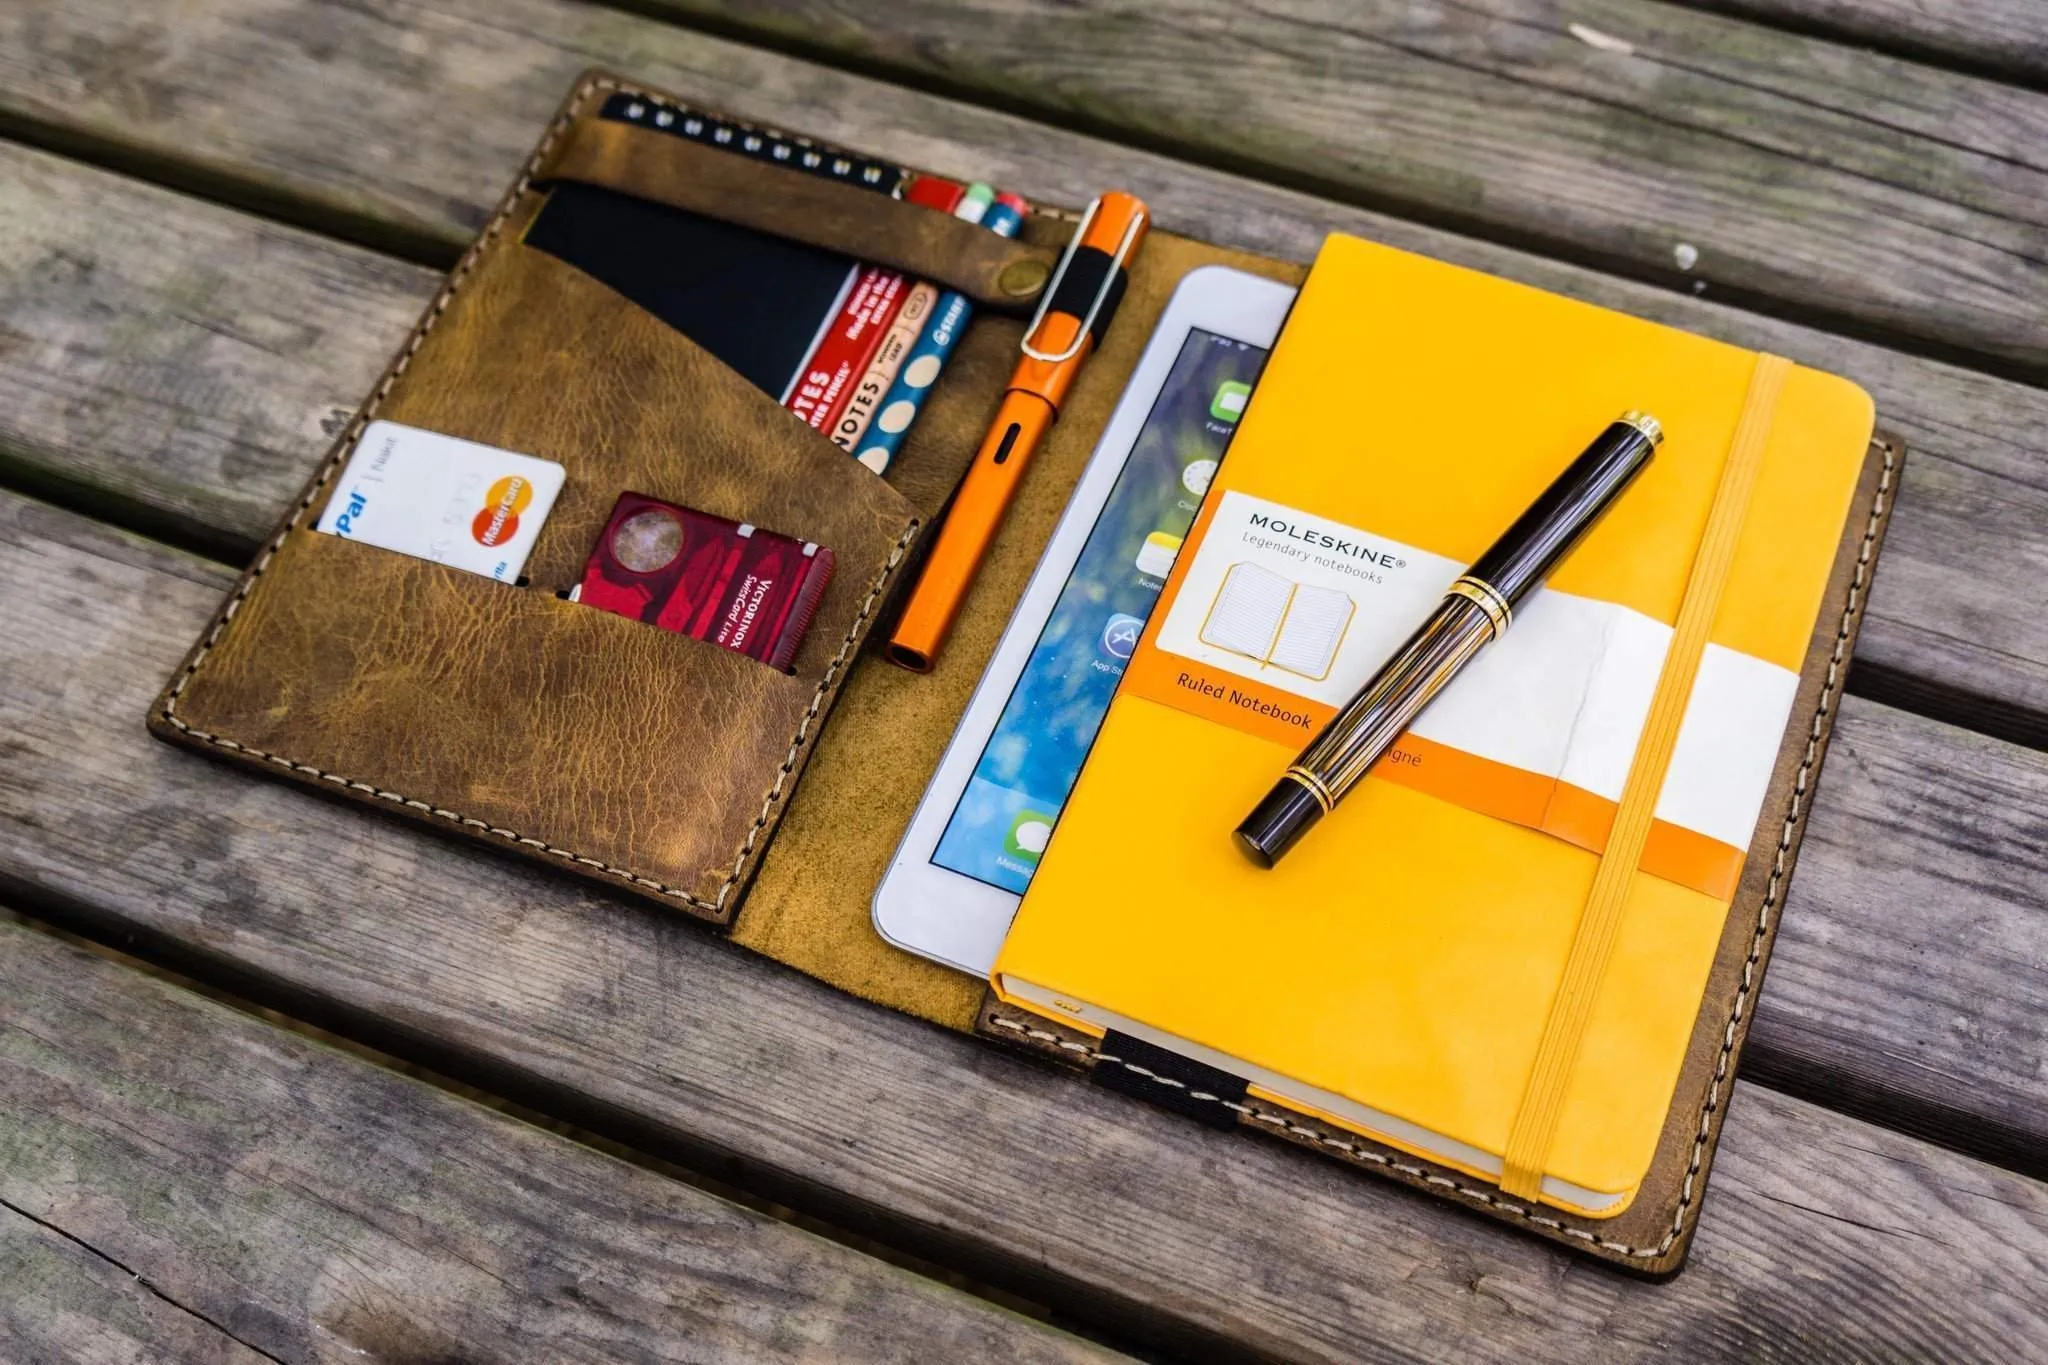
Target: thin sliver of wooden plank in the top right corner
<point x="2006" y="40"/>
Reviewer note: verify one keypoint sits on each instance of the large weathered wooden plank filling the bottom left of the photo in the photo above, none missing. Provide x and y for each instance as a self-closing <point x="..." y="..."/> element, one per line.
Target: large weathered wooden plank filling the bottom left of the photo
<point x="316" y="1206"/>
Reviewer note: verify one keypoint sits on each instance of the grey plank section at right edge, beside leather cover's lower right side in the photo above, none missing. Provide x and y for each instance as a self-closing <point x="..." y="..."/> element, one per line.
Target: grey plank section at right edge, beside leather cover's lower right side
<point x="1912" y="967"/>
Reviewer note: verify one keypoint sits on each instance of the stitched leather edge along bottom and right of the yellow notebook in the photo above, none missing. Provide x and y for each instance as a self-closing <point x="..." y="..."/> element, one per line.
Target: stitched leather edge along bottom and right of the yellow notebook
<point x="1781" y="863"/>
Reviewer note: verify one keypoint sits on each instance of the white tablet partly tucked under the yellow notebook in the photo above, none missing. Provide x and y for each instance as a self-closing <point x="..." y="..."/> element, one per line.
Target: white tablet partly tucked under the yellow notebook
<point x="986" y="820"/>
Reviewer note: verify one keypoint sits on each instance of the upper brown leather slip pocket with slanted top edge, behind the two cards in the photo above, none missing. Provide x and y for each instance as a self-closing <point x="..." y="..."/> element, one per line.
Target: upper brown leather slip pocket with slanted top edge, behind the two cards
<point x="538" y="357"/>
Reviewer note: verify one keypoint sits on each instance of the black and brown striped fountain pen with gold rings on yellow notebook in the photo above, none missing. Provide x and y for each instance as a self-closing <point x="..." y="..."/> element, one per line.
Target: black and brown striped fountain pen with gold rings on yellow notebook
<point x="1476" y="613"/>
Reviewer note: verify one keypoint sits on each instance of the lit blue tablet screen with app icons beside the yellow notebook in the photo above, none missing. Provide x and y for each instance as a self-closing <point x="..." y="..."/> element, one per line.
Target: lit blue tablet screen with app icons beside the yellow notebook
<point x="1052" y="717"/>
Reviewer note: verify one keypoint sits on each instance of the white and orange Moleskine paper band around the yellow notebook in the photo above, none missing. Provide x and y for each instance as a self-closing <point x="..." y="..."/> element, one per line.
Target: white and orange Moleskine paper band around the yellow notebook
<point x="1539" y="732"/>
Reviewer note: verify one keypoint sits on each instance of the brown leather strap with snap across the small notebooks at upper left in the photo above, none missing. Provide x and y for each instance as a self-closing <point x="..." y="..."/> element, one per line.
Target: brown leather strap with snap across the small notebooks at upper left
<point x="790" y="204"/>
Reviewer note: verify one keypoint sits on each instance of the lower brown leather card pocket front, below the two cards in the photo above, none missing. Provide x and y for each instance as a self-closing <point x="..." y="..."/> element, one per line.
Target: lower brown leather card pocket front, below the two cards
<point x="566" y="732"/>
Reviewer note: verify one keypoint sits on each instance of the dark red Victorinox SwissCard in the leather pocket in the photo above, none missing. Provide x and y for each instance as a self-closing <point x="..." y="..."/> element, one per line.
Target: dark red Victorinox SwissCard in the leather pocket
<point x="710" y="578"/>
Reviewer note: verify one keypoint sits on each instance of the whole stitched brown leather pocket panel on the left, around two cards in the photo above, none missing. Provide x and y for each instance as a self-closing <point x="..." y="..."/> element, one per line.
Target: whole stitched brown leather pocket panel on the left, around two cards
<point x="505" y="713"/>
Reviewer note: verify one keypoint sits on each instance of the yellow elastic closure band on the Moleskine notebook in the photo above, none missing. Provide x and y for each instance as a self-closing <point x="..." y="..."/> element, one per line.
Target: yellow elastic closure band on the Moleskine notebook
<point x="1558" y="1055"/>
